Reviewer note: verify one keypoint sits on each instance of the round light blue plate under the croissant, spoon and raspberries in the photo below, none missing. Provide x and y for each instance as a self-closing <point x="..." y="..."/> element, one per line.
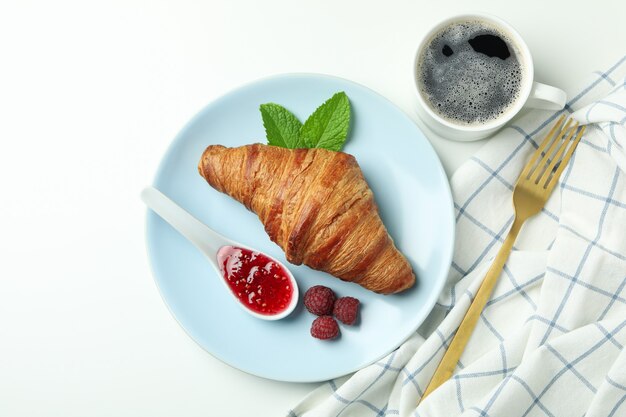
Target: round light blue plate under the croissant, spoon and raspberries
<point x="410" y="188"/>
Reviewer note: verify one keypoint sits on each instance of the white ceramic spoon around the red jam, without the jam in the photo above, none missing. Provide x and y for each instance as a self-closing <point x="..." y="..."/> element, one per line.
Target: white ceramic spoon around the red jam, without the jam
<point x="211" y="243"/>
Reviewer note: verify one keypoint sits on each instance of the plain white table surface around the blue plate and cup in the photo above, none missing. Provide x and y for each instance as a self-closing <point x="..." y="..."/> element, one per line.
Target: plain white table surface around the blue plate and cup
<point x="91" y="96"/>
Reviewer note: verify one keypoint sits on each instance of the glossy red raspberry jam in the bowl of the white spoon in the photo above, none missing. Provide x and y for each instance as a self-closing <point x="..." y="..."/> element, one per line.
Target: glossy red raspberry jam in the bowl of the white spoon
<point x="261" y="284"/>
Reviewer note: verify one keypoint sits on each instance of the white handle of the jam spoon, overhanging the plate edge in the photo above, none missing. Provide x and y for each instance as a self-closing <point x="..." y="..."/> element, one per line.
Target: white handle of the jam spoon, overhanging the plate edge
<point x="204" y="238"/>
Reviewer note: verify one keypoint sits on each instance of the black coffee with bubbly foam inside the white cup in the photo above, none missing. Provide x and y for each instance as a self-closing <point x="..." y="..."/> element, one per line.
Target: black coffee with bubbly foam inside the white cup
<point x="470" y="73"/>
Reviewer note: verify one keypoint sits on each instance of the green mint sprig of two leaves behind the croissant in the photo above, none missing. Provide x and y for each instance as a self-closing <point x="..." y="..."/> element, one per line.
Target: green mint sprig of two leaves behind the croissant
<point x="326" y="128"/>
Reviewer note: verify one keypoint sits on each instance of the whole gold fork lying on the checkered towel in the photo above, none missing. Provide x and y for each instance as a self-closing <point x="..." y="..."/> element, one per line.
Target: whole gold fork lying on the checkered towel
<point x="533" y="187"/>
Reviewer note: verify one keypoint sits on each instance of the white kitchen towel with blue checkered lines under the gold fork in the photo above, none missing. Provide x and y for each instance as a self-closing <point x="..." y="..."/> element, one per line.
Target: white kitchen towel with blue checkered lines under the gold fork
<point x="551" y="340"/>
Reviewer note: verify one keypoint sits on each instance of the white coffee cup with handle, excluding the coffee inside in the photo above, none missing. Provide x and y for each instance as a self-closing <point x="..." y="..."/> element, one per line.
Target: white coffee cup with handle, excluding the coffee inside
<point x="532" y="94"/>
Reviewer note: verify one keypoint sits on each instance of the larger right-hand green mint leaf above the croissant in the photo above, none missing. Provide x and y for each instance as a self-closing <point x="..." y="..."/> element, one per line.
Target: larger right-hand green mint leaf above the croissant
<point x="328" y="126"/>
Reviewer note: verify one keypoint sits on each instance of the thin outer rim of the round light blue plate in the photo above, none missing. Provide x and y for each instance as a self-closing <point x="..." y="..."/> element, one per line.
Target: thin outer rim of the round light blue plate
<point x="447" y="256"/>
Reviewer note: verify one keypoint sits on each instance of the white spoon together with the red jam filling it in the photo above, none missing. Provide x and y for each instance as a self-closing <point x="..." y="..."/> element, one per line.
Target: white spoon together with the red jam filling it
<point x="262" y="285"/>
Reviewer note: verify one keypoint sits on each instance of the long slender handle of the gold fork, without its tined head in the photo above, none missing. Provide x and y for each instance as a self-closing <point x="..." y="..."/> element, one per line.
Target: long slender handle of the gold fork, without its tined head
<point x="450" y="359"/>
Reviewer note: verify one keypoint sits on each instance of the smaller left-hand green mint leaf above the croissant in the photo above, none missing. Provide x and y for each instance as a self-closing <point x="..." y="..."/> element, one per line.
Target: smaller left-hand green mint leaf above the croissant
<point x="282" y="128"/>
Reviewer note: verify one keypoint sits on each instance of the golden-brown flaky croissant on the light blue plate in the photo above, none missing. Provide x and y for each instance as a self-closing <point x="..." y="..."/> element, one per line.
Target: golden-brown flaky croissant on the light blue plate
<point x="316" y="205"/>
